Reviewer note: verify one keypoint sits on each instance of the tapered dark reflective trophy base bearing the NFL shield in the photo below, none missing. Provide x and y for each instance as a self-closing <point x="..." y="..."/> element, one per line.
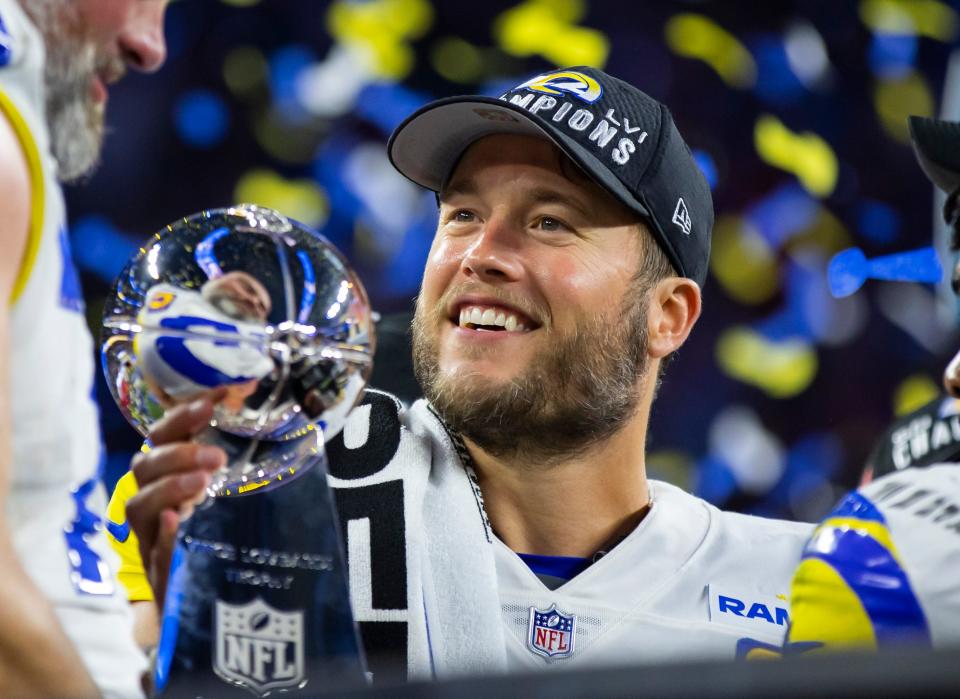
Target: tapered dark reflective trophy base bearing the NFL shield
<point x="257" y="600"/>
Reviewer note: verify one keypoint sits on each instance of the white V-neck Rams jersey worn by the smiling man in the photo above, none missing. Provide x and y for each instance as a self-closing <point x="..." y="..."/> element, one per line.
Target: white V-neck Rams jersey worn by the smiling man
<point x="690" y="582"/>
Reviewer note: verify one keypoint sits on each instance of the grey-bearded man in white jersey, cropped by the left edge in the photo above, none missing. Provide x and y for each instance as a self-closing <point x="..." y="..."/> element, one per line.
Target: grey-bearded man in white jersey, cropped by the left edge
<point x="65" y="629"/>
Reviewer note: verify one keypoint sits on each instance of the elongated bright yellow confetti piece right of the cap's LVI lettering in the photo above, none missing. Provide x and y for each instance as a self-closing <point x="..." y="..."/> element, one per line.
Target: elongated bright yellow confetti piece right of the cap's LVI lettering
<point x="805" y="154"/>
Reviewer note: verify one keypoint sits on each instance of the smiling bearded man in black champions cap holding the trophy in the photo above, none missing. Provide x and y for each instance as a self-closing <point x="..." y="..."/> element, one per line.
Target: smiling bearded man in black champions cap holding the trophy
<point x="507" y="521"/>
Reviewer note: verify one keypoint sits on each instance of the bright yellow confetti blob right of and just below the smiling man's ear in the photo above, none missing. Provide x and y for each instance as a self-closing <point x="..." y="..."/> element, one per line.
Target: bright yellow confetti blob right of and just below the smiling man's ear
<point x="781" y="369"/>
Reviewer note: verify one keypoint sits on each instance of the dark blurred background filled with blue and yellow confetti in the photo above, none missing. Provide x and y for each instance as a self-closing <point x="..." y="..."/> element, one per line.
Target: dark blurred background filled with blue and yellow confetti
<point x="774" y="403"/>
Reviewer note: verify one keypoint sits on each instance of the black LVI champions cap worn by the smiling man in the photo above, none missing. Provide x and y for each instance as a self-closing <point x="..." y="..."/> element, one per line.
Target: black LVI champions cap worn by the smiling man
<point x="621" y="137"/>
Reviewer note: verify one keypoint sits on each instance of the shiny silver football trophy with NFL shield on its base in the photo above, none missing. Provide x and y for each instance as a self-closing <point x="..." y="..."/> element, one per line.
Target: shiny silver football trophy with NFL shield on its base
<point x="264" y="315"/>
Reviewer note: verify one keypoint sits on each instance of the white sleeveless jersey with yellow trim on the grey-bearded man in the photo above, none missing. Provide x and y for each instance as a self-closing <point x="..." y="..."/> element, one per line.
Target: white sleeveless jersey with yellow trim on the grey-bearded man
<point x="56" y="500"/>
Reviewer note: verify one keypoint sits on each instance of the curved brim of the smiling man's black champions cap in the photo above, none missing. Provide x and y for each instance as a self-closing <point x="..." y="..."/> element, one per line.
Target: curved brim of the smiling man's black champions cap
<point x="429" y="143"/>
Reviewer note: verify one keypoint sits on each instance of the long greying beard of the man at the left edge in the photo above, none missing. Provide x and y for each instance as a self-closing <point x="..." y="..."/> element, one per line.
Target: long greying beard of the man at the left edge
<point x="74" y="118"/>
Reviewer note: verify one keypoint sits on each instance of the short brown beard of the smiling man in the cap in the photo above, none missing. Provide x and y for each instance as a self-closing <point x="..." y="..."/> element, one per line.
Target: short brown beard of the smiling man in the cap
<point x="576" y="394"/>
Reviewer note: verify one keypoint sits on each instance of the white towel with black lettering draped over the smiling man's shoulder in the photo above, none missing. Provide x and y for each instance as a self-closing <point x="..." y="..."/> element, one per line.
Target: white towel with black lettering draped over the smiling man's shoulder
<point x="443" y="563"/>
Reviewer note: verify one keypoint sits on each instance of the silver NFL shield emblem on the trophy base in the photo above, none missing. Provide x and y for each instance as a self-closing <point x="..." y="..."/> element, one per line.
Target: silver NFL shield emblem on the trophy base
<point x="259" y="647"/>
